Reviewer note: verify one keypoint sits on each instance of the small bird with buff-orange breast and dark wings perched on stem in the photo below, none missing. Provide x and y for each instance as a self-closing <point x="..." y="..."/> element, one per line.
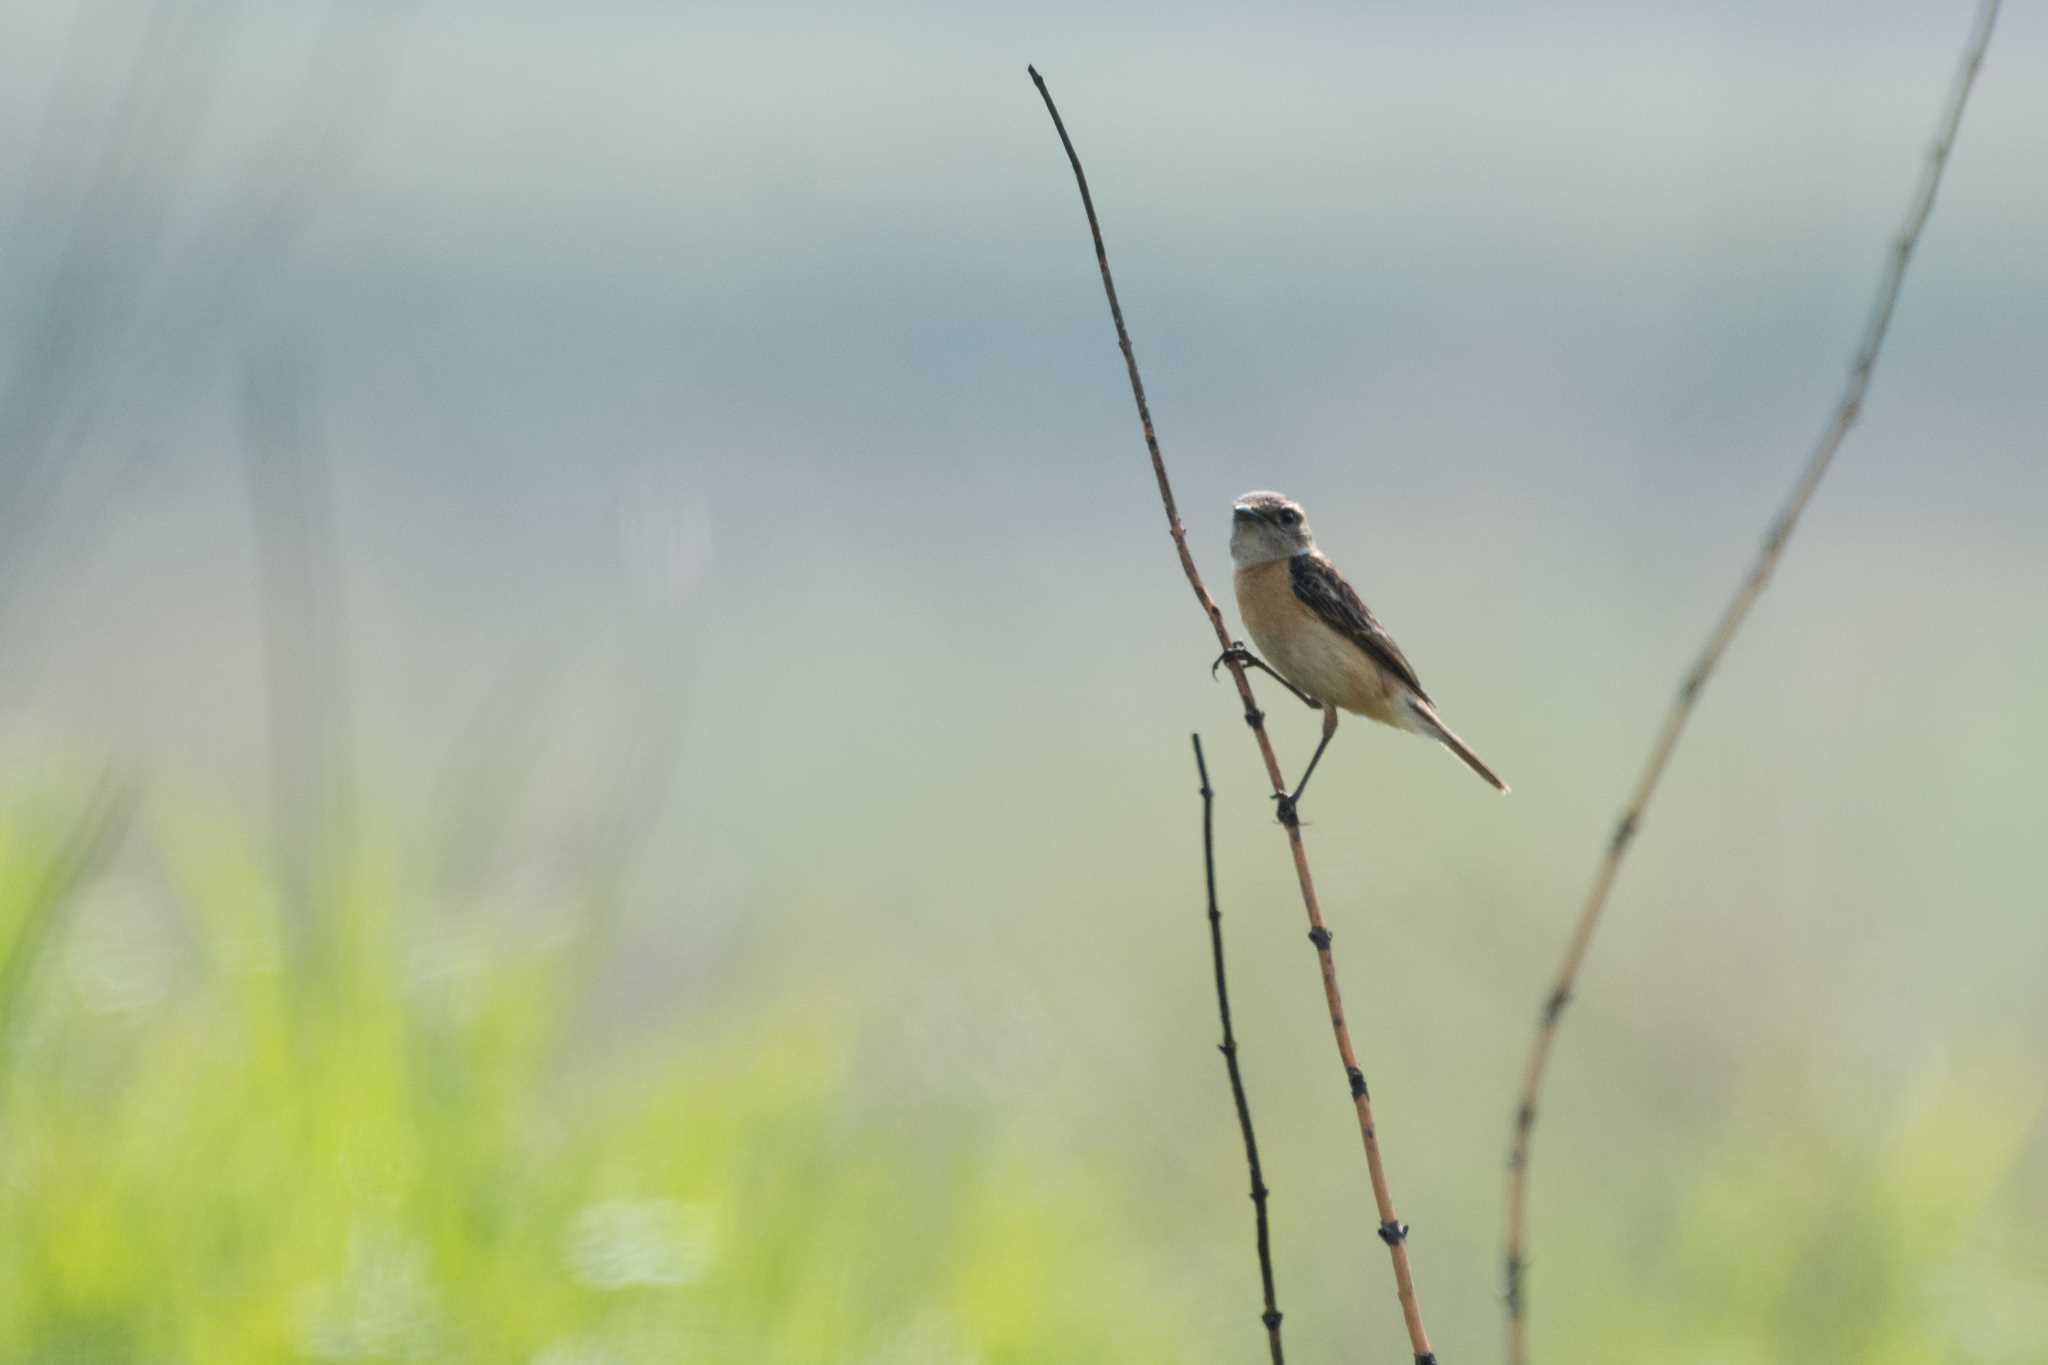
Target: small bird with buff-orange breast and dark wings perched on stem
<point x="1318" y="635"/>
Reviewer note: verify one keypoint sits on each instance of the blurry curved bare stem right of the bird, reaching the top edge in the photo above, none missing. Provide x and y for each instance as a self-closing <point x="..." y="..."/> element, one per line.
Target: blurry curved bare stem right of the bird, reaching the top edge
<point x="1717" y="644"/>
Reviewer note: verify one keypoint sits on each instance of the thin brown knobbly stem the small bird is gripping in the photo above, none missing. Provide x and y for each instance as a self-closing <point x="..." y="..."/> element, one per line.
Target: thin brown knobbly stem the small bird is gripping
<point x="1392" y="1229"/>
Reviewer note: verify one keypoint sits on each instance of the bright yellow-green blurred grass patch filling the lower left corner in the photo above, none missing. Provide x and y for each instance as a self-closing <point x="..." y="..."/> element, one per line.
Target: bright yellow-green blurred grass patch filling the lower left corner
<point x="359" y="1161"/>
